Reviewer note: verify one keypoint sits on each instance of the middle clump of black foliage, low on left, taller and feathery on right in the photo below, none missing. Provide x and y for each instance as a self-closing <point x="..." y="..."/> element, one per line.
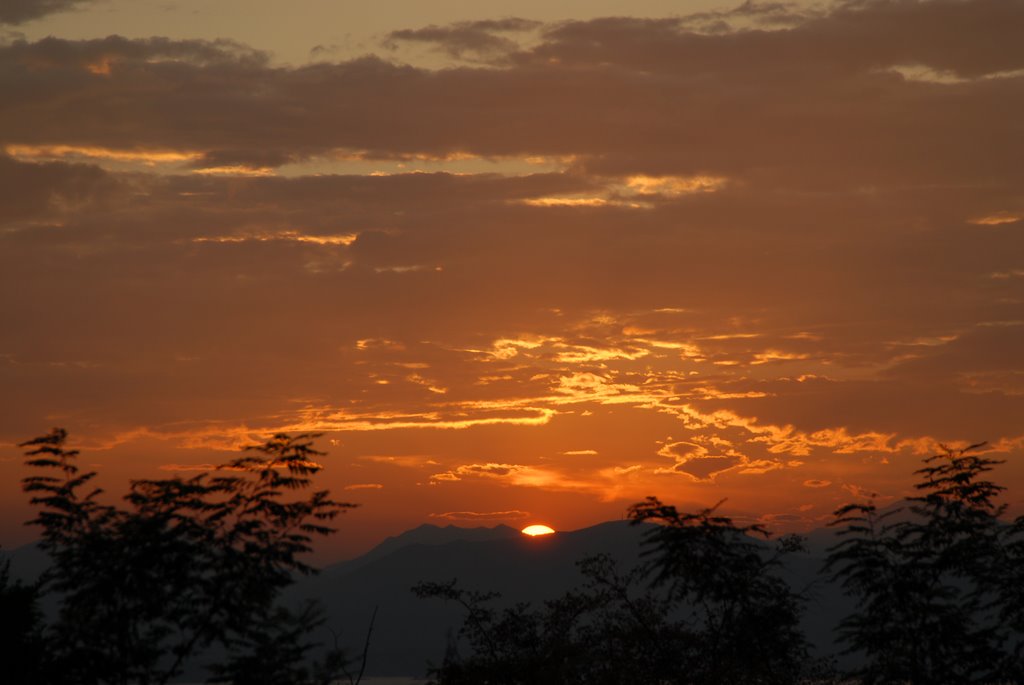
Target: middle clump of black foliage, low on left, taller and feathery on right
<point x="706" y="609"/>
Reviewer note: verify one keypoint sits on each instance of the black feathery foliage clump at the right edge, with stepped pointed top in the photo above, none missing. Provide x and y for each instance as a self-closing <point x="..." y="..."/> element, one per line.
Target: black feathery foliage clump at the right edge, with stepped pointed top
<point x="931" y="580"/>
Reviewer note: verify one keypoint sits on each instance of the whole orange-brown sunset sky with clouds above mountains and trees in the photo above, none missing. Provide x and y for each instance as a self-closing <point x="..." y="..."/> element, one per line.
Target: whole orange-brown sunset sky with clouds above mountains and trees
<point x="520" y="263"/>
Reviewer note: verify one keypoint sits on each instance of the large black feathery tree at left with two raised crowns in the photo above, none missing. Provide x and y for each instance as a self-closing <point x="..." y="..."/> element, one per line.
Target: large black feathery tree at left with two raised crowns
<point x="187" y="564"/>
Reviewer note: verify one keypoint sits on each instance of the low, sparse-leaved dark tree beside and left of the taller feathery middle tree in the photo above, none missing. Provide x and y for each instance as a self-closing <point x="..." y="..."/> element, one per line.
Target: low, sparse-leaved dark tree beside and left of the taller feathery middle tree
<point x="600" y="634"/>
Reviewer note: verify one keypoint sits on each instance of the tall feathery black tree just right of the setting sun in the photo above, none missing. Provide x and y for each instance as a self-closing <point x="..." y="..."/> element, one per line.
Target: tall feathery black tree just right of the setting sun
<point x="744" y="619"/>
